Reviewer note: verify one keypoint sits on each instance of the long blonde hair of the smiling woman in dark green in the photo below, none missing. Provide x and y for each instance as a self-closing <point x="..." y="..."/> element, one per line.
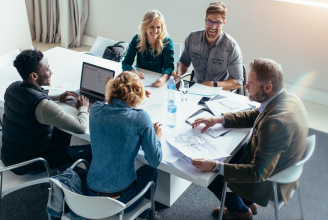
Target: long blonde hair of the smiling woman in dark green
<point x="146" y="22"/>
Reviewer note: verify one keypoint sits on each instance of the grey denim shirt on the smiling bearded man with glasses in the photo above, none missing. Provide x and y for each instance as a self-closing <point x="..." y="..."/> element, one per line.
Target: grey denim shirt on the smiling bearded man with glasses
<point x="219" y="62"/>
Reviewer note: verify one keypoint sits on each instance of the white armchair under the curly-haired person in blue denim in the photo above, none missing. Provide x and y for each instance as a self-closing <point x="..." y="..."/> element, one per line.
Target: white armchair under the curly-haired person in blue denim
<point x="106" y="208"/>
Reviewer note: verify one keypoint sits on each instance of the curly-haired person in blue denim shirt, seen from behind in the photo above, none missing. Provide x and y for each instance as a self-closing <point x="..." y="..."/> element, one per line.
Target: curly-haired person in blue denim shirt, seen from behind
<point x="117" y="130"/>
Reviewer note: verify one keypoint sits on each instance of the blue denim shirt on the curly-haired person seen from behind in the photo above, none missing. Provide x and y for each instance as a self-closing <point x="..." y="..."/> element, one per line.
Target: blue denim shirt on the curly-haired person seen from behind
<point x="116" y="133"/>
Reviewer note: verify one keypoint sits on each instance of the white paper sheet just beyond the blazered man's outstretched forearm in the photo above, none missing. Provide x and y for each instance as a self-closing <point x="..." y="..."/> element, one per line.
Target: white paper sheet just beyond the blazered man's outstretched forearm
<point x="222" y="105"/>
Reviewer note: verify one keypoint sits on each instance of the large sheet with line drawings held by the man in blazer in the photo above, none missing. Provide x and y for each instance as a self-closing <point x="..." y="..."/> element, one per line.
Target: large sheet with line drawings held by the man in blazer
<point x="194" y="144"/>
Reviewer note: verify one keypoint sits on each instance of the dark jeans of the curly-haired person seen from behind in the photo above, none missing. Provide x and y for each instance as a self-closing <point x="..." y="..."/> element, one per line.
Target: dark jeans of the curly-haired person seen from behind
<point x="145" y="174"/>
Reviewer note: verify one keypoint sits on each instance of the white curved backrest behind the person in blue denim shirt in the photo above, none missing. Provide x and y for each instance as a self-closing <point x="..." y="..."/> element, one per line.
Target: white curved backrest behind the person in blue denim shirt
<point x="92" y="207"/>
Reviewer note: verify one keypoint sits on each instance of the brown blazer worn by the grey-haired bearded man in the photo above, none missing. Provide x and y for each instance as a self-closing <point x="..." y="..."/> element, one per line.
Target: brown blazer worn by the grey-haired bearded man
<point x="278" y="141"/>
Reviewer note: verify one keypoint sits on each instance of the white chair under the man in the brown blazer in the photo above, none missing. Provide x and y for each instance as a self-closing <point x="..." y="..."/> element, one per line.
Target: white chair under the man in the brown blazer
<point x="289" y="175"/>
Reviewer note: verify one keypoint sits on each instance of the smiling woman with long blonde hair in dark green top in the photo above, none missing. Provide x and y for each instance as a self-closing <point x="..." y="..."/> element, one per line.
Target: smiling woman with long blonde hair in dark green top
<point x="153" y="47"/>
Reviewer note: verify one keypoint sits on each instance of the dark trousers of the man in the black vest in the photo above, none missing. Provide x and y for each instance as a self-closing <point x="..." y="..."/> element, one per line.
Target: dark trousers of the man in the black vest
<point x="60" y="155"/>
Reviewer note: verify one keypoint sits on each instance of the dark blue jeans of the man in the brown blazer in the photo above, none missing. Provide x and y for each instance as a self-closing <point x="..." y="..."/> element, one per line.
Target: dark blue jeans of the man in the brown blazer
<point x="233" y="202"/>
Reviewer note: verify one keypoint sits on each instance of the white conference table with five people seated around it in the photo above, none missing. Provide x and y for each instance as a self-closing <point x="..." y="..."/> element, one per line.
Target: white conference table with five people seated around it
<point x="67" y="66"/>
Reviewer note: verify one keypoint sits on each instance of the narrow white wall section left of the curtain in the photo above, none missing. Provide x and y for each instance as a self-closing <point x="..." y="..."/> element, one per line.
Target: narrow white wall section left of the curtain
<point x="14" y="27"/>
